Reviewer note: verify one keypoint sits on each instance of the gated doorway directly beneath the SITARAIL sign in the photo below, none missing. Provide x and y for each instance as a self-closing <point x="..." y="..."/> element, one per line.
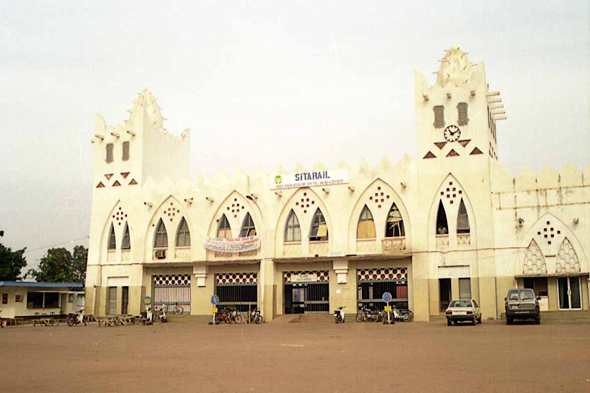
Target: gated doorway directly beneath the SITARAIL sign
<point x="307" y="292"/>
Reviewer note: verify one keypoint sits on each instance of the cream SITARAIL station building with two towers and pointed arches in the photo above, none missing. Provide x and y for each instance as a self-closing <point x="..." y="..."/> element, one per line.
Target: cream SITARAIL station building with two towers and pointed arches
<point x="452" y="223"/>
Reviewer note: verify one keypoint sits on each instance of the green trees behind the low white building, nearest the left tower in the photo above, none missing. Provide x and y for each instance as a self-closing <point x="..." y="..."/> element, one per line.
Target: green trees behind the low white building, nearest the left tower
<point x="59" y="265"/>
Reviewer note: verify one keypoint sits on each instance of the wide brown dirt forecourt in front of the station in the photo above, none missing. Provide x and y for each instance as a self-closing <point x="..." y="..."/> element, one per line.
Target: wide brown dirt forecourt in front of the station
<point x="188" y="355"/>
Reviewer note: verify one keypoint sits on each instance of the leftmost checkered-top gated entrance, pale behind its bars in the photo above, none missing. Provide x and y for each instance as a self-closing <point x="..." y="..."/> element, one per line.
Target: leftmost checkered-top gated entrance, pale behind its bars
<point x="171" y="290"/>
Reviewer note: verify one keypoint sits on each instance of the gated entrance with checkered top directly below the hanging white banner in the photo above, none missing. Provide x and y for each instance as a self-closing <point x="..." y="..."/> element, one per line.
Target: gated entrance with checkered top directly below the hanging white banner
<point x="237" y="290"/>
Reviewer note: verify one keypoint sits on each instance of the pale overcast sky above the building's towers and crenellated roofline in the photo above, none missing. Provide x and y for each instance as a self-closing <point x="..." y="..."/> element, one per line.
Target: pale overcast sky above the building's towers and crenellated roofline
<point x="263" y="84"/>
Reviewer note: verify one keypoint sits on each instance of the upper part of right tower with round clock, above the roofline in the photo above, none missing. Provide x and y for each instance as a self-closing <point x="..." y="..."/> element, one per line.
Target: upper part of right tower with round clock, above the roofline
<point x="456" y="117"/>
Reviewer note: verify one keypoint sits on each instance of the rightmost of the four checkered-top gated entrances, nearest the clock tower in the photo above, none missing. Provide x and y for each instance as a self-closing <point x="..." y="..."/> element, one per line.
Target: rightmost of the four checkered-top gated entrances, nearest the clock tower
<point x="373" y="283"/>
